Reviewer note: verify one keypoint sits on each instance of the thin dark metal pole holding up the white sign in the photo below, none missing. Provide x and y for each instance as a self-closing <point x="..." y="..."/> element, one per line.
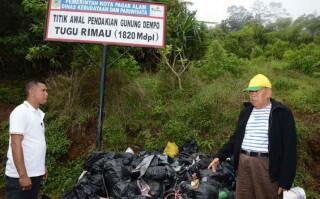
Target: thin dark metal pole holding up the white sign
<point x="103" y="68"/>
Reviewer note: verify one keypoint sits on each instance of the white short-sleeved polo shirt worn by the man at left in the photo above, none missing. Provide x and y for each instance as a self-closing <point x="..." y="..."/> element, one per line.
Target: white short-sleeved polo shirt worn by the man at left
<point x="28" y="121"/>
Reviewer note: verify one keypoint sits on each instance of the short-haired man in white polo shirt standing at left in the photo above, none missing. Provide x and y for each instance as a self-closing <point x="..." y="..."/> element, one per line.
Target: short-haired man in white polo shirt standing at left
<point x="25" y="167"/>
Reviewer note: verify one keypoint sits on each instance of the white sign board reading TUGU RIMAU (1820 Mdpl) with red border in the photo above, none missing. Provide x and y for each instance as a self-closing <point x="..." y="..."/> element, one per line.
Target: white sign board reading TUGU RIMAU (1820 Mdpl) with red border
<point x="107" y="21"/>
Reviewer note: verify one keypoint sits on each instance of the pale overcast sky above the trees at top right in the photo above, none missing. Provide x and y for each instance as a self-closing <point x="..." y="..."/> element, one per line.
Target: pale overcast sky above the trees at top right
<point x="216" y="10"/>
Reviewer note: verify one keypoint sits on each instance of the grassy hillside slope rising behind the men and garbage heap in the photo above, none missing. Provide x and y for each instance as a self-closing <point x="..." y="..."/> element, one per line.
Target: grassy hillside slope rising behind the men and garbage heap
<point x="147" y="110"/>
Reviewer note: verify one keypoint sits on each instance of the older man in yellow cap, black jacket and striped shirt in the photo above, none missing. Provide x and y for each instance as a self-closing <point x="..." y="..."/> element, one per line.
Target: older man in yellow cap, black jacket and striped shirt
<point x="263" y="145"/>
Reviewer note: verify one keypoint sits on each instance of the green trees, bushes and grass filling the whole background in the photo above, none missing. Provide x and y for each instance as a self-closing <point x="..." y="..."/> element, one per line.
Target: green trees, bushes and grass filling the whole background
<point x="190" y="89"/>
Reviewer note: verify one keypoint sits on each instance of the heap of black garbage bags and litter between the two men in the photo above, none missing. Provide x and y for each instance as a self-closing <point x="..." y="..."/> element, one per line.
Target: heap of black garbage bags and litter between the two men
<point x="154" y="175"/>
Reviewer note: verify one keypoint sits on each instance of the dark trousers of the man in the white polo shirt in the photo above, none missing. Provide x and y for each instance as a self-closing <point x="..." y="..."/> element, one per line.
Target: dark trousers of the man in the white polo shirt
<point x="13" y="189"/>
